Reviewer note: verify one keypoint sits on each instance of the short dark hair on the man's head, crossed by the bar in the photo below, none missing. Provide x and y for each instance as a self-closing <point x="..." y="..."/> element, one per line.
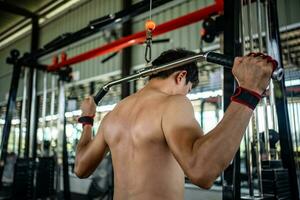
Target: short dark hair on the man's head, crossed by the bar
<point x="172" y="55"/>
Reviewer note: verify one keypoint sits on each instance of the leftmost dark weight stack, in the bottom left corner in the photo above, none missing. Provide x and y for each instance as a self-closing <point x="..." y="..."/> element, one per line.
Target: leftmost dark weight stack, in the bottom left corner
<point x="23" y="179"/>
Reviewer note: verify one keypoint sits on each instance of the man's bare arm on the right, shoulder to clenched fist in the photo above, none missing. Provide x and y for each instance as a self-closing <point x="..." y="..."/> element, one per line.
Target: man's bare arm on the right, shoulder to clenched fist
<point x="204" y="157"/>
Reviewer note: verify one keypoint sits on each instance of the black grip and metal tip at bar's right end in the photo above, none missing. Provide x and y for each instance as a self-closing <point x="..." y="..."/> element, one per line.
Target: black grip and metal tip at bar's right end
<point x="228" y="61"/>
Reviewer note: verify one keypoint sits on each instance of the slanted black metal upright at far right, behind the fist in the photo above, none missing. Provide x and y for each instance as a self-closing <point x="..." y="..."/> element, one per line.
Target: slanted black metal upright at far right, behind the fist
<point x="286" y="144"/>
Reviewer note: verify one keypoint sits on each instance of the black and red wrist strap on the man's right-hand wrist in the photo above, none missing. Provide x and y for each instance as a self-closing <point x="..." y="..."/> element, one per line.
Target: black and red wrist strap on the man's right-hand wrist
<point x="246" y="97"/>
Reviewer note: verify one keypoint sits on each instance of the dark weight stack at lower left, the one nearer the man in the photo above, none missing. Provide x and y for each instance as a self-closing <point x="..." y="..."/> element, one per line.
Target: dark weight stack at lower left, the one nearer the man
<point x="45" y="177"/>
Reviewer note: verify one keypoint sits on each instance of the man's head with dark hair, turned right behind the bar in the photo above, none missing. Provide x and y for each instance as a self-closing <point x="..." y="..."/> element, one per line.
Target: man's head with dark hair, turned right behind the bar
<point x="185" y="76"/>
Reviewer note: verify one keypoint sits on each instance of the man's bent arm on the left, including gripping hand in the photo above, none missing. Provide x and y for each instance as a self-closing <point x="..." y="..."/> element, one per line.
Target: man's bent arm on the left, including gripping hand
<point x="90" y="151"/>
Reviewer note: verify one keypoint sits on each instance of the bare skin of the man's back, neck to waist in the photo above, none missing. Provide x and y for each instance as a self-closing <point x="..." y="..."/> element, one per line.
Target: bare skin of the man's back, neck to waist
<point x="144" y="166"/>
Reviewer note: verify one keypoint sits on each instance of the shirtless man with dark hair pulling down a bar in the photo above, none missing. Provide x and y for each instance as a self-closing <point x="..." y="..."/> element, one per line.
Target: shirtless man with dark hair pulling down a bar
<point x="155" y="139"/>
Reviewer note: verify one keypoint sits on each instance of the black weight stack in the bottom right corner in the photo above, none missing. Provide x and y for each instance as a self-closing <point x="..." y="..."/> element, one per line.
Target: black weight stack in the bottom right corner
<point x="275" y="180"/>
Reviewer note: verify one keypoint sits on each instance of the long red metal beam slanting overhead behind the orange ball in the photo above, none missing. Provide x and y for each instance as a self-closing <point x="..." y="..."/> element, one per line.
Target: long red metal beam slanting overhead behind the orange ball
<point x="140" y="36"/>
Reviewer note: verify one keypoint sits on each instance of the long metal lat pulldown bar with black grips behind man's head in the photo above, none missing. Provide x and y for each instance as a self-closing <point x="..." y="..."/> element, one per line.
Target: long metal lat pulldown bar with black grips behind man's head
<point x="211" y="57"/>
